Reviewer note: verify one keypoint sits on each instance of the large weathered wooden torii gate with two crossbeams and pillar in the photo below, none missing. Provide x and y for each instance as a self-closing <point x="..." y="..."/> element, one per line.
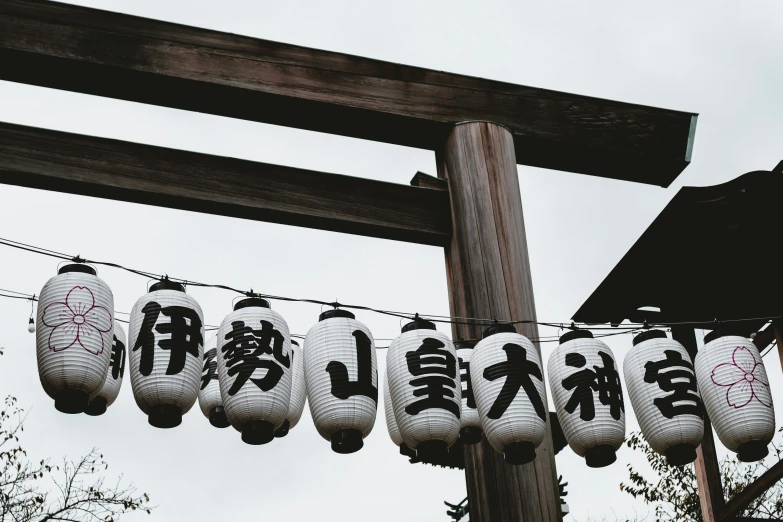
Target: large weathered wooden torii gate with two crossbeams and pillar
<point x="479" y="130"/>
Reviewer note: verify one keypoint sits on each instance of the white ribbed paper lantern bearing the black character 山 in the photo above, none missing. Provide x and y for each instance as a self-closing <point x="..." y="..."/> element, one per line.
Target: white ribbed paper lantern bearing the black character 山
<point x="341" y="371"/>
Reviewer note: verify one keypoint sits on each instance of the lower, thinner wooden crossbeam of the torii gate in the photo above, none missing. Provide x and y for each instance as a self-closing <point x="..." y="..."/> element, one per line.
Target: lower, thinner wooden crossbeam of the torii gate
<point x="104" y="168"/>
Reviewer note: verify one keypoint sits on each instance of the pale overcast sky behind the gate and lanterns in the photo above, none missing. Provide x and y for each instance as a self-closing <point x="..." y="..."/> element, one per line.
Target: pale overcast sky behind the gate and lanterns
<point x="718" y="59"/>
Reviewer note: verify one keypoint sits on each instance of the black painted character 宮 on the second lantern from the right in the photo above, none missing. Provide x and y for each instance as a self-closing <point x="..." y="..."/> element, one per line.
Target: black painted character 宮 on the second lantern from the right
<point x="683" y="389"/>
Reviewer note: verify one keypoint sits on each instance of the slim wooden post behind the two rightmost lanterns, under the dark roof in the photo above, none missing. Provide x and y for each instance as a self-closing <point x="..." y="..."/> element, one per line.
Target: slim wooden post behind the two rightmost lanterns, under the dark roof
<point x="706" y="465"/>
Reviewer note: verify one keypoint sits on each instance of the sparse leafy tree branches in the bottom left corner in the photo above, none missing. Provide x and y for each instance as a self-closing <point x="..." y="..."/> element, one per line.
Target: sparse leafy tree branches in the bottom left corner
<point x="74" y="491"/>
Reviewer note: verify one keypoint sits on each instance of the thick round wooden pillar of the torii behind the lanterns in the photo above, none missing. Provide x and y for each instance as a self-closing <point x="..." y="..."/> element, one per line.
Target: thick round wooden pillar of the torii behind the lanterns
<point x="489" y="277"/>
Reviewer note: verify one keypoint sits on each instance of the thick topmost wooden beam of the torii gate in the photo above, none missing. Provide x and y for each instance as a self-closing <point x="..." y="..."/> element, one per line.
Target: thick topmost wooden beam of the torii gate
<point x="102" y="53"/>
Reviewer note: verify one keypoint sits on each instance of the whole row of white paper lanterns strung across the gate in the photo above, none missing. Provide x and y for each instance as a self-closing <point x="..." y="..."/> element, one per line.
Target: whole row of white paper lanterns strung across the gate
<point x="256" y="379"/>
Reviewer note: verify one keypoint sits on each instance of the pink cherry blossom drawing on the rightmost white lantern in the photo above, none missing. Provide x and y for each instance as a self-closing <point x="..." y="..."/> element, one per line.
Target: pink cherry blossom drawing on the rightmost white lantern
<point x="744" y="376"/>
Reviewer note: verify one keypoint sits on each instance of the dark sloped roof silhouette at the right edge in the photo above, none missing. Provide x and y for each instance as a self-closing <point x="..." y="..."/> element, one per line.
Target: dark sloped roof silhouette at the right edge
<point x="709" y="255"/>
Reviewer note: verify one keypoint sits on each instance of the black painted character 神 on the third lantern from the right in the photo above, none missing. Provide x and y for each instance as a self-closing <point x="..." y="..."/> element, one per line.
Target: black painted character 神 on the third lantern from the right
<point x="603" y="379"/>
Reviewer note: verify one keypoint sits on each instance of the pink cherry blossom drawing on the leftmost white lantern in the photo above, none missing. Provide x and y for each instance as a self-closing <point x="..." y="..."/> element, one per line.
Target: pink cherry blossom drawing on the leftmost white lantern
<point x="79" y="319"/>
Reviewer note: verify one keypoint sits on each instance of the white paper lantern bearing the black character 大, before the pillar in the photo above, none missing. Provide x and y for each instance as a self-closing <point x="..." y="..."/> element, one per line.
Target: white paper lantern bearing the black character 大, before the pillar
<point x="508" y="385"/>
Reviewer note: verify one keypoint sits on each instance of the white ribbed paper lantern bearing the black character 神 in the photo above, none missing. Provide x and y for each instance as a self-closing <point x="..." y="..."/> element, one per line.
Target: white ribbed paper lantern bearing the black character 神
<point x="588" y="397"/>
